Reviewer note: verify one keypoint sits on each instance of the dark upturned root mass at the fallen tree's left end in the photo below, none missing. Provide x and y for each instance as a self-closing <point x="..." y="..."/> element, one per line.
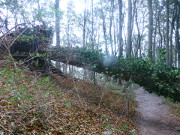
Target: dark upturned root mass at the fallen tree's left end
<point x="26" y="40"/>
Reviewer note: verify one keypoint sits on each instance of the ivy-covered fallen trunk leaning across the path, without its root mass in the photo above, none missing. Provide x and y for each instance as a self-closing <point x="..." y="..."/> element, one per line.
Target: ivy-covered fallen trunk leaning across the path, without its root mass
<point x="157" y="78"/>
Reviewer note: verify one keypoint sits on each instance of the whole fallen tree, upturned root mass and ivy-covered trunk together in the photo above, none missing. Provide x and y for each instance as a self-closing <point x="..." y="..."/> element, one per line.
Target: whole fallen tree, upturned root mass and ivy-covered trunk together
<point x="157" y="78"/>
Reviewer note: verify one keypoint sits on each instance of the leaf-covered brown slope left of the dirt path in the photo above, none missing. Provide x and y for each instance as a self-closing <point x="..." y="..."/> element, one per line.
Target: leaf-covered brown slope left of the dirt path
<point x="32" y="103"/>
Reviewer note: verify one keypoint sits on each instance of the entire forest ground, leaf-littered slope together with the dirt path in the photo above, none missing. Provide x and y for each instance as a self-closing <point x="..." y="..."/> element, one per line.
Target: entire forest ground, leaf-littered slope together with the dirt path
<point x="34" y="103"/>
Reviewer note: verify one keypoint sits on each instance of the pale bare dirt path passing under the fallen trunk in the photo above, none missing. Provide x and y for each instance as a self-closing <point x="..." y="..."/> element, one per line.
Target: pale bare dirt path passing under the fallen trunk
<point x="155" y="118"/>
